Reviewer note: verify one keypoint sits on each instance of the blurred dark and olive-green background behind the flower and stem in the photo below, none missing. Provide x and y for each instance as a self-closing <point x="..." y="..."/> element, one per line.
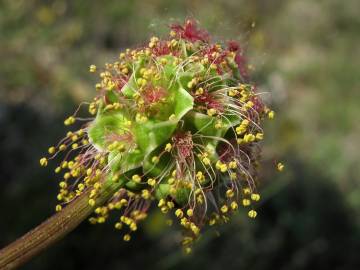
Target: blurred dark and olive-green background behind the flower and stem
<point x="304" y="53"/>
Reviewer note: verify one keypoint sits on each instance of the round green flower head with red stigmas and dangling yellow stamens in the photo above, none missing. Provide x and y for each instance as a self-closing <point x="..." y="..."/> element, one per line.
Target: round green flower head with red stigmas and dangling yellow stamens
<point x="175" y="123"/>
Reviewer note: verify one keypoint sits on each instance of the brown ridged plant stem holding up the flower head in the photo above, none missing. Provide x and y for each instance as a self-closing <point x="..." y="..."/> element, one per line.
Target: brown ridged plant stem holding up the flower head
<point x="52" y="230"/>
